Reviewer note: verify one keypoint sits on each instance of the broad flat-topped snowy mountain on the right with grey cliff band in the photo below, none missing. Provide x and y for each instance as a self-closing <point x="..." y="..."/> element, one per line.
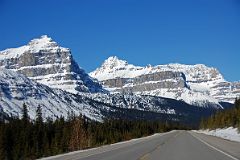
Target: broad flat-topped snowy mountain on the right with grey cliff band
<point x="194" y="84"/>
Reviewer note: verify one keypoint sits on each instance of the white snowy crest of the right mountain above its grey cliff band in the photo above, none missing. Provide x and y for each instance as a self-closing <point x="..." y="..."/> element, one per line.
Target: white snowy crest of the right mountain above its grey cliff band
<point x="114" y="67"/>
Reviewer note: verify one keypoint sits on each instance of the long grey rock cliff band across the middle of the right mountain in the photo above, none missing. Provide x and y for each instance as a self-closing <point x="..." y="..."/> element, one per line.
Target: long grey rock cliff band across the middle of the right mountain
<point x="168" y="79"/>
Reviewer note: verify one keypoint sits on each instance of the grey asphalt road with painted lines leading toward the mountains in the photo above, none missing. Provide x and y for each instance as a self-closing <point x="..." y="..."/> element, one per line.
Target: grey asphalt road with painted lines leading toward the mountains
<point x="175" y="145"/>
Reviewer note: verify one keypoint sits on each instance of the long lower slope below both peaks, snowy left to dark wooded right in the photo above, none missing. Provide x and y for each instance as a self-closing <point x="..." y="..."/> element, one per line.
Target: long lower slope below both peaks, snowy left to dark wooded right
<point x="16" y="89"/>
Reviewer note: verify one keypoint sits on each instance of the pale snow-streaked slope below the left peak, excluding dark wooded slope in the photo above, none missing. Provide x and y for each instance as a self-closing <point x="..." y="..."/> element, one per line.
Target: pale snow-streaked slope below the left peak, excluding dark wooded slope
<point x="16" y="89"/>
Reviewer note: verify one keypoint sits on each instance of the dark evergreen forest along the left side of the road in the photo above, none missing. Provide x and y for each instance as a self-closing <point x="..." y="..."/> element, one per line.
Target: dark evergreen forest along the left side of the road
<point x="22" y="138"/>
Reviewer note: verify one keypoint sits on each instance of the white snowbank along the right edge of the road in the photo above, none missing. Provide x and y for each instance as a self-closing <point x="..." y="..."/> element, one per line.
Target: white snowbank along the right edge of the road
<point x="226" y="133"/>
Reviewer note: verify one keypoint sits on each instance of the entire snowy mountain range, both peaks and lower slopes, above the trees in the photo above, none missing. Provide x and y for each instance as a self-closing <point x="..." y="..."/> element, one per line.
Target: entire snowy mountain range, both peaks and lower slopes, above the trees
<point x="44" y="73"/>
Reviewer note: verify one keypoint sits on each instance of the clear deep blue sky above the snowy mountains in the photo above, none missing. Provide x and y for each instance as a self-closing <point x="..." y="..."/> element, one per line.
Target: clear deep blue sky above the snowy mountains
<point x="140" y="31"/>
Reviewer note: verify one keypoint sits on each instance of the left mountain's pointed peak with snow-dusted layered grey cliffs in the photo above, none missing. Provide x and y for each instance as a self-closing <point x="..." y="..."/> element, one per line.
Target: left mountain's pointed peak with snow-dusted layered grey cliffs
<point x="46" y="62"/>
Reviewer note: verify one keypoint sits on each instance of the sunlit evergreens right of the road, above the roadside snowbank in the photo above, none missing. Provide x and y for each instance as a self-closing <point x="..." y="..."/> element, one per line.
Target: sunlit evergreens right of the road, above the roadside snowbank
<point x="223" y="118"/>
